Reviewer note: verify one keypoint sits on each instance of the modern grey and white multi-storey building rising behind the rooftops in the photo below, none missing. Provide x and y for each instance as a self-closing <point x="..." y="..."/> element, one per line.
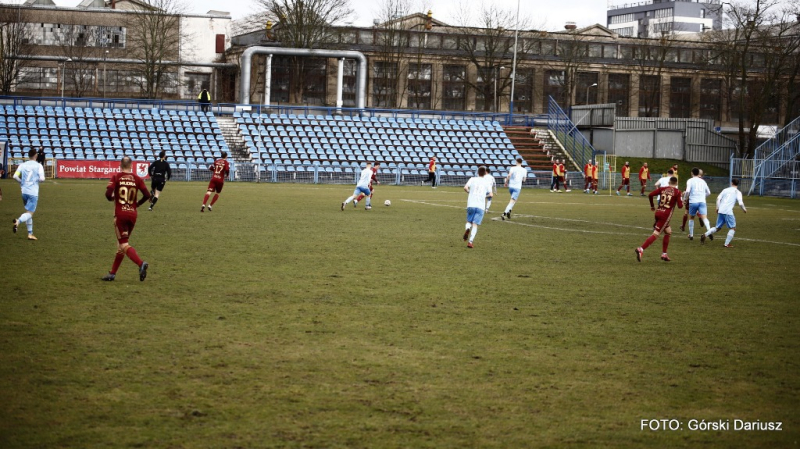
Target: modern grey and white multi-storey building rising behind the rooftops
<point x="654" y="18"/>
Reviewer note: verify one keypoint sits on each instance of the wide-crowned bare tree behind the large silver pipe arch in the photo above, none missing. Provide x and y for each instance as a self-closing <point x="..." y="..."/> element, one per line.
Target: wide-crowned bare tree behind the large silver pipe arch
<point x="303" y="24"/>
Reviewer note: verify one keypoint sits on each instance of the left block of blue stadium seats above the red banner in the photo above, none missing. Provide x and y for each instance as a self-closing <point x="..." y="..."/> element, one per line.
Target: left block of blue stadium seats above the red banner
<point x="190" y="138"/>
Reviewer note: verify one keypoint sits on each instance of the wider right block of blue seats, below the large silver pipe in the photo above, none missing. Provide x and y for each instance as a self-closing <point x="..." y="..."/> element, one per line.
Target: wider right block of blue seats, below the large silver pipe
<point x="407" y="144"/>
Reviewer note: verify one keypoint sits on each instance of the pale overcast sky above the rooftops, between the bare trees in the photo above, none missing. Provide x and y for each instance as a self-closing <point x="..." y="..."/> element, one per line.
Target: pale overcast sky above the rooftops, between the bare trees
<point x="583" y="12"/>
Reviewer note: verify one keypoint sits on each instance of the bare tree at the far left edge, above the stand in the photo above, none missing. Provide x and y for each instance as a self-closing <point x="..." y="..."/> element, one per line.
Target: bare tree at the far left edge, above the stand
<point x="15" y="40"/>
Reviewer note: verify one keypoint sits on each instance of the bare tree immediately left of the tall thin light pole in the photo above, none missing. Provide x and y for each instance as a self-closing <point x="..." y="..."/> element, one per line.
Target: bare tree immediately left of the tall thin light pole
<point x="488" y="47"/>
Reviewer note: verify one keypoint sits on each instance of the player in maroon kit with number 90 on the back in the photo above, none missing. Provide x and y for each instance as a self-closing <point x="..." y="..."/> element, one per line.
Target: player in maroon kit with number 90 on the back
<point x="123" y="189"/>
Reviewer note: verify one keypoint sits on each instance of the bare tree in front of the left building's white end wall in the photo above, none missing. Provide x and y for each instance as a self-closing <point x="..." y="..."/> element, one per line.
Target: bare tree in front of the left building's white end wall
<point x="154" y="37"/>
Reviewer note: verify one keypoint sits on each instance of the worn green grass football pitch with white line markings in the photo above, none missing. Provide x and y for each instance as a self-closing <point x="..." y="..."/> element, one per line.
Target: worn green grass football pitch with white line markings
<point x="278" y="320"/>
